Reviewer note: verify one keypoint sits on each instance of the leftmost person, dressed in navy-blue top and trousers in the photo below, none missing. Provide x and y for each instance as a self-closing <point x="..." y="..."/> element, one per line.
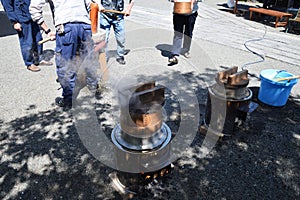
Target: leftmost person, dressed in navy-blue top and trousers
<point x="28" y="32"/>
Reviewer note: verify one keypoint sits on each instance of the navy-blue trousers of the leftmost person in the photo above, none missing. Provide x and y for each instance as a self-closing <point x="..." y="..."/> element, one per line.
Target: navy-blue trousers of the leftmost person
<point x="29" y="37"/>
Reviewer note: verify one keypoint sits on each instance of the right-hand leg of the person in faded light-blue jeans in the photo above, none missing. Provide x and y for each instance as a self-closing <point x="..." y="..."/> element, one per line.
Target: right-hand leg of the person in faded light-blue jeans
<point x="119" y="31"/>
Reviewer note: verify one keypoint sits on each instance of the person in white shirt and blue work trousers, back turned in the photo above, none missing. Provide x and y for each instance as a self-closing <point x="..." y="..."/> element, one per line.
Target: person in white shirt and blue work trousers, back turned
<point x="73" y="42"/>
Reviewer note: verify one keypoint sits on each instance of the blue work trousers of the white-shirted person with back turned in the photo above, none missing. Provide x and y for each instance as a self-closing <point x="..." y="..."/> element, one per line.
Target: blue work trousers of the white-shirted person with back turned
<point x="72" y="47"/>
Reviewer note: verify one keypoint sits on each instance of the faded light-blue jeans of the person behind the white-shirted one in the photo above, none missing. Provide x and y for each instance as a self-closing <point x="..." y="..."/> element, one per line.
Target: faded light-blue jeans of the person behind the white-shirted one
<point x="117" y="23"/>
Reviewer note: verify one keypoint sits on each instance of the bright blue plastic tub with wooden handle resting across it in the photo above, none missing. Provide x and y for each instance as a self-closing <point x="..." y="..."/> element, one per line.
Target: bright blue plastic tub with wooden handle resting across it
<point x="275" y="93"/>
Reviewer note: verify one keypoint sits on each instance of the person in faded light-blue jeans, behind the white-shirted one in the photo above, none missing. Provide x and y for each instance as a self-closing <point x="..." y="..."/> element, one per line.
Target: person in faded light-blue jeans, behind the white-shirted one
<point x="109" y="19"/>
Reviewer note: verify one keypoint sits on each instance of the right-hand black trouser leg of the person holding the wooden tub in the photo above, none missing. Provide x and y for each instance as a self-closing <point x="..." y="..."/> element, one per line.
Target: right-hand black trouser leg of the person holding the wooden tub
<point x="188" y="32"/>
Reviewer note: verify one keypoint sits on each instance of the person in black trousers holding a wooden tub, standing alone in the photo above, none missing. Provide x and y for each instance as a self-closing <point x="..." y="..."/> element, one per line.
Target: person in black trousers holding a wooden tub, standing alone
<point x="183" y="25"/>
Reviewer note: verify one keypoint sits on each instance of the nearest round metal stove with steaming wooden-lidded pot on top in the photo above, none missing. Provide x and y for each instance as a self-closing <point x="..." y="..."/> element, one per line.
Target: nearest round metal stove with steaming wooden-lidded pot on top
<point x="141" y="138"/>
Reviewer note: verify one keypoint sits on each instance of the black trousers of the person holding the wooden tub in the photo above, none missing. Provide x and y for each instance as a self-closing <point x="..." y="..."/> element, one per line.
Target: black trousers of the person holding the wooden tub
<point x="183" y="31"/>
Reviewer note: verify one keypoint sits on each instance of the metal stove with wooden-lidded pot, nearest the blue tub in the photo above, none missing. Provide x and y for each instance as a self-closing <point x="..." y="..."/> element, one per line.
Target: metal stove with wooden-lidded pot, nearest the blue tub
<point x="230" y="92"/>
